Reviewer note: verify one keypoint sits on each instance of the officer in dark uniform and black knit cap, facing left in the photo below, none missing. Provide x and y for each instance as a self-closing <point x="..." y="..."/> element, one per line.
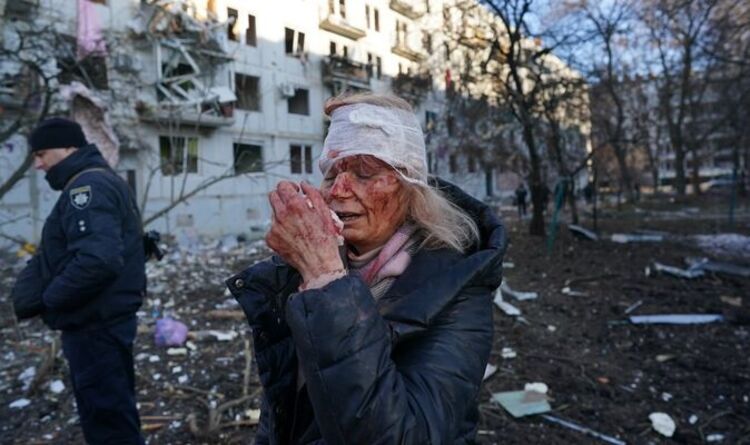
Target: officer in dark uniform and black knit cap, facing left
<point x="89" y="278"/>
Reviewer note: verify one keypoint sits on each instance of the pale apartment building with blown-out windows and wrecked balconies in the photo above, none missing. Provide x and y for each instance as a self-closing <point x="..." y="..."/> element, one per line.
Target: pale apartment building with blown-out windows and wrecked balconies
<point x="204" y="105"/>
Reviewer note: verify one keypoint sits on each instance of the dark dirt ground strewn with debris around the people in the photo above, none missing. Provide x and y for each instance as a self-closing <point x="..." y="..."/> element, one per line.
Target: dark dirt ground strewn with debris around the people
<point x="603" y="372"/>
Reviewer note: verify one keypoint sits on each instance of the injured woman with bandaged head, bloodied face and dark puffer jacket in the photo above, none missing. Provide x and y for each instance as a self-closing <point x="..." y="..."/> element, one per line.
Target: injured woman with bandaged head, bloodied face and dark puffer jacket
<point x="388" y="342"/>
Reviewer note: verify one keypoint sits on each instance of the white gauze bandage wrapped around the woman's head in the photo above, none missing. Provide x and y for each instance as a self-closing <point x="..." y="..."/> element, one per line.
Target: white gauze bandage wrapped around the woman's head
<point x="392" y="135"/>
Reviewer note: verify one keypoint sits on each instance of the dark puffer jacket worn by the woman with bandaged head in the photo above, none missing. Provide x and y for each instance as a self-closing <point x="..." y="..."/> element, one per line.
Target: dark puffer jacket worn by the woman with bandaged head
<point x="405" y="369"/>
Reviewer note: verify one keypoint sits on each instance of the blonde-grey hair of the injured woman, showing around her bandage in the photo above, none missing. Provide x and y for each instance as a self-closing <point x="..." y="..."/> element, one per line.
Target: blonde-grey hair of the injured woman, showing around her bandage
<point x="444" y="224"/>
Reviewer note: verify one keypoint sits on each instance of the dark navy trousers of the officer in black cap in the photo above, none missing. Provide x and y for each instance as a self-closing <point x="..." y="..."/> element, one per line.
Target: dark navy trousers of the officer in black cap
<point x="101" y="367"/>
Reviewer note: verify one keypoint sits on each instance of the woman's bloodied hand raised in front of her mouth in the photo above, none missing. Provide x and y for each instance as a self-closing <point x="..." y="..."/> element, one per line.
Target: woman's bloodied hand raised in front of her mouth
<point x="303" y="231"/>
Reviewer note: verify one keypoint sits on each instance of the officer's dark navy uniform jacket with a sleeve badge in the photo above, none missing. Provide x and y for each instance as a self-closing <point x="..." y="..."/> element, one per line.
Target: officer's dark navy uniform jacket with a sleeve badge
<point x="89" y="270"/>
